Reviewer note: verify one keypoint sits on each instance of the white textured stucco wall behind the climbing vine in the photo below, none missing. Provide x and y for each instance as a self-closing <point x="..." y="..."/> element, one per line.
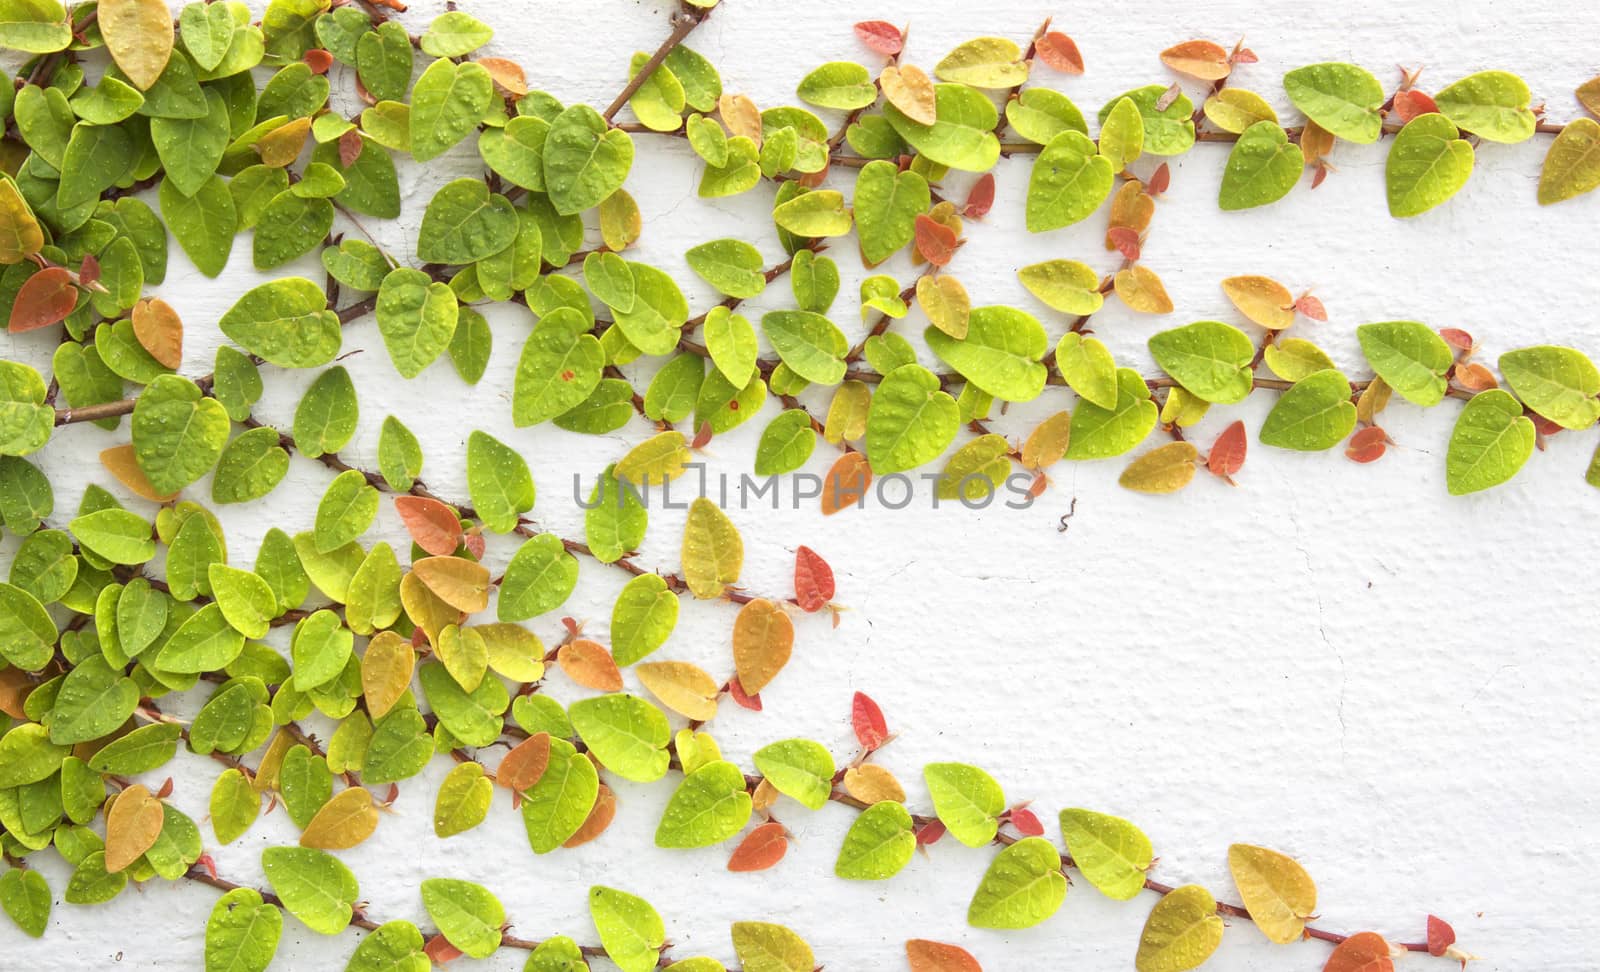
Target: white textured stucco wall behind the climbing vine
<point x="1335" y="661"/>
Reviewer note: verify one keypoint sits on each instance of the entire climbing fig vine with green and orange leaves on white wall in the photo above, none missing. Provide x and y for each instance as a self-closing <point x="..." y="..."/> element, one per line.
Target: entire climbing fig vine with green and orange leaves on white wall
<point x="132" y="129"/>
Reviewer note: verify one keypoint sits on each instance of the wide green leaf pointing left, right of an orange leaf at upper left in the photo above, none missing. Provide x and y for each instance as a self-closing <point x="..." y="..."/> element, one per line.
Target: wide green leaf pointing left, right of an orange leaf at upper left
<point x="287" y="322"/>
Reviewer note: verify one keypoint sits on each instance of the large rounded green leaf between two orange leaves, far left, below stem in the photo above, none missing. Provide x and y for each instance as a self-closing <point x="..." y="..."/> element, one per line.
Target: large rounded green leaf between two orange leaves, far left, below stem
<point x="178" y="434"/>
